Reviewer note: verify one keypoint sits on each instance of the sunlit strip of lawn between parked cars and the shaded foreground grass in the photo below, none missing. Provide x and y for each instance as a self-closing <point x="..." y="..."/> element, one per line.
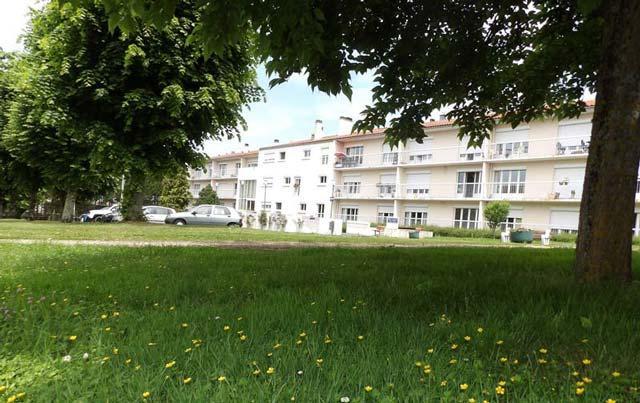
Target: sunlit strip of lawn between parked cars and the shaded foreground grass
<point x="20" y="229"/>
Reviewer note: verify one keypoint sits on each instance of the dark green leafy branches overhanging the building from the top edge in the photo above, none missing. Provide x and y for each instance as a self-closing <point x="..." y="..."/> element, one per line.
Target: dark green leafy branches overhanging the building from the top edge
<point x="515" y="59"/>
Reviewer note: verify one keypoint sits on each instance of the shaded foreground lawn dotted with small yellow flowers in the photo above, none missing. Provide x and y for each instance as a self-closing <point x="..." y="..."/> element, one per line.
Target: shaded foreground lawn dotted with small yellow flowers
<point x="317" y="325"/>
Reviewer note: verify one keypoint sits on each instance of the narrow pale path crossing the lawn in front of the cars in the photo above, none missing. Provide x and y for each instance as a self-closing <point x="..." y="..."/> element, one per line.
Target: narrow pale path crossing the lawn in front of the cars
<point x="270" y="245"/>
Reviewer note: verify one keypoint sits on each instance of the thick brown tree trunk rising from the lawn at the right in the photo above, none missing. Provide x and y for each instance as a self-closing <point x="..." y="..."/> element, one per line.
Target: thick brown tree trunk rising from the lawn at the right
<point x="606" y="212"/>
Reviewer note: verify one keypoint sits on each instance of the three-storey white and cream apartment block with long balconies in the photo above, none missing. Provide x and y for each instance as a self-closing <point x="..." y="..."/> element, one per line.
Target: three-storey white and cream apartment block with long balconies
<point x="538" y="167"/>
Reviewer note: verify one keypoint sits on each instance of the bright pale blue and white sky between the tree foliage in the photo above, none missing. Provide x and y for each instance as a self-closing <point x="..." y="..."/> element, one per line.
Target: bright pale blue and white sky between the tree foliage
<point x="290" y="110"/>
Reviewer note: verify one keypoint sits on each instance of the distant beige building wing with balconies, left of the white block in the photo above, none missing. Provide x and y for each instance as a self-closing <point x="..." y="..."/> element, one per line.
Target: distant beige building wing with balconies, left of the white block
<point x="221" y="172"/>
